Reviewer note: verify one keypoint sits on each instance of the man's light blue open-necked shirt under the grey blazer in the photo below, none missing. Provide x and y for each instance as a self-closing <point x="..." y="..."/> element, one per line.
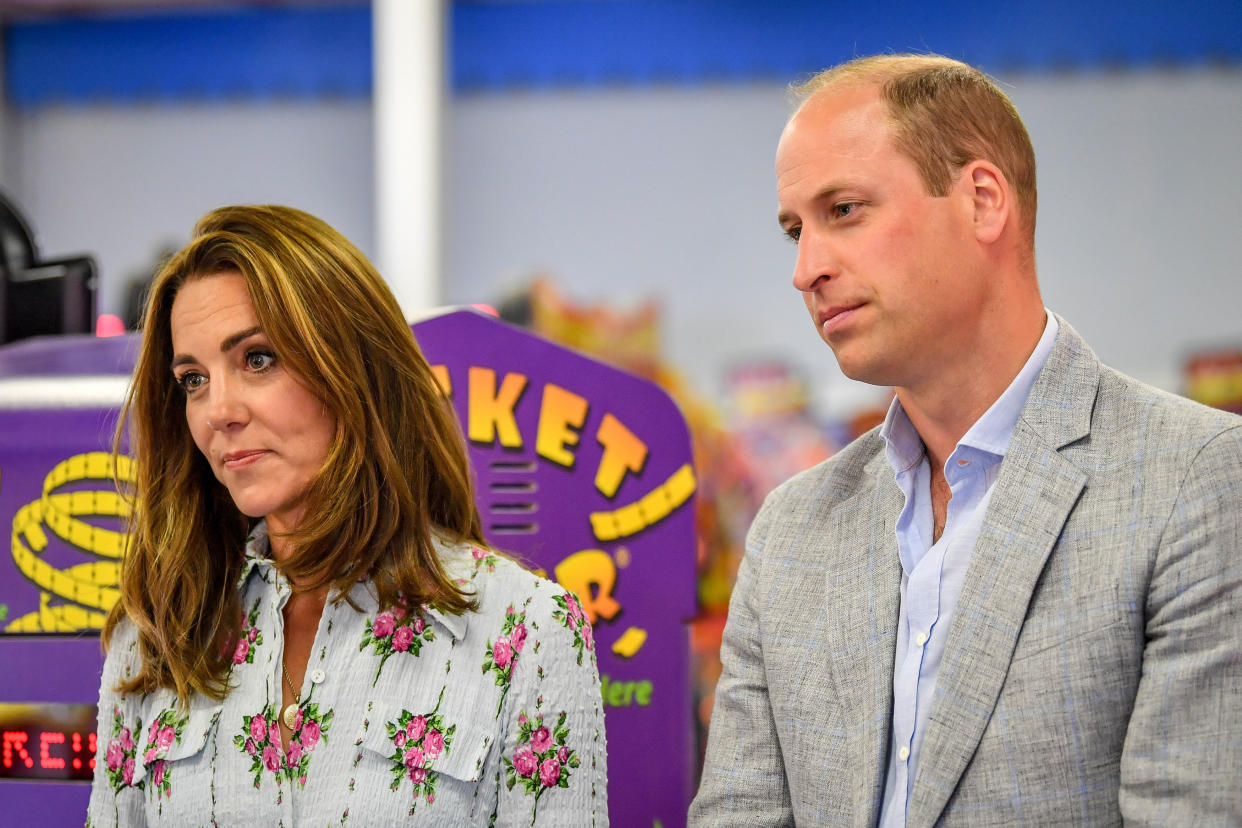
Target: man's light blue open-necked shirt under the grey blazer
<point x="933" y="573"/>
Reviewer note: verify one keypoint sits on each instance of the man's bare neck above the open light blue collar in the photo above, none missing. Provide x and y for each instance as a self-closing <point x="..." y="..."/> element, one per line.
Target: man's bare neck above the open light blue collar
<point x="943" y="409"/>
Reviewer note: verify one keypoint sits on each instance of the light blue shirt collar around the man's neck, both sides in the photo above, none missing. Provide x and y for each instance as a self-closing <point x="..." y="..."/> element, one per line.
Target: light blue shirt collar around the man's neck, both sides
<point x="992" y="433"/>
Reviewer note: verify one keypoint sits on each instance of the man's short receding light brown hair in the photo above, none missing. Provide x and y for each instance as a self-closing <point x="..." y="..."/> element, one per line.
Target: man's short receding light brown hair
<point x="946" y="115"/>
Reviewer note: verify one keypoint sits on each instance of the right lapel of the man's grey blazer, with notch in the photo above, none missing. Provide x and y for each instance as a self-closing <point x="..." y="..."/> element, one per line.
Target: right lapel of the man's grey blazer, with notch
<point x="1034" y="496"/>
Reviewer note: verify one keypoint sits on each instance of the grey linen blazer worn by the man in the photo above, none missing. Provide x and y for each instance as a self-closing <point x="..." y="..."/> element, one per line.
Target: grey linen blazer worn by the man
<point x="1094" y="668"/>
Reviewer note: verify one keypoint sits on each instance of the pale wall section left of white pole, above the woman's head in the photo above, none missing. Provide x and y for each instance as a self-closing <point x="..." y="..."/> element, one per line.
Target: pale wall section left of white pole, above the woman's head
<point x="121" y="183"/>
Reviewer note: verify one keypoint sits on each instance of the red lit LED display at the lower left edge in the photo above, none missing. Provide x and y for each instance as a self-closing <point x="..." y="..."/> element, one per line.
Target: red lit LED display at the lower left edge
<point x="48" y="742"/>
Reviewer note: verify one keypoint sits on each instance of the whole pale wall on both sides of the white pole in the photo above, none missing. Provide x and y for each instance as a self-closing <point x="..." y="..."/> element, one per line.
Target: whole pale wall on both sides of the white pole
<point x="632" y="193"/>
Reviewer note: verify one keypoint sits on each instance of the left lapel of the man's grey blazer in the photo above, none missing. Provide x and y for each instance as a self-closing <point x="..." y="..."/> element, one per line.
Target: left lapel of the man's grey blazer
<point x="863" y="595"/>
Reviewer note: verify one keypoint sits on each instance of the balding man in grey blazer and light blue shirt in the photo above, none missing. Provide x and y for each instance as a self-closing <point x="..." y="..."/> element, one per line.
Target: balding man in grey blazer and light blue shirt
<point x="1020" y="600"/>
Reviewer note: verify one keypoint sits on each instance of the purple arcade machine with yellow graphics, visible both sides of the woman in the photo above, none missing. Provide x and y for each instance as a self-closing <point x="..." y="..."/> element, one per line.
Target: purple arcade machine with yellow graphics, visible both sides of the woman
<point x="583" y="471"/>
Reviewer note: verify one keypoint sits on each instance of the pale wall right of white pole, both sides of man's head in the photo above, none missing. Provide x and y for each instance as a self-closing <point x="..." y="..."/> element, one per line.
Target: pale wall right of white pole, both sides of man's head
<point x="671" y="193"/>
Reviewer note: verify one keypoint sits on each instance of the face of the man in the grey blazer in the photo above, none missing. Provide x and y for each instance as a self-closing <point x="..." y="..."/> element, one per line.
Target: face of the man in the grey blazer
<point x="890" y="275"/>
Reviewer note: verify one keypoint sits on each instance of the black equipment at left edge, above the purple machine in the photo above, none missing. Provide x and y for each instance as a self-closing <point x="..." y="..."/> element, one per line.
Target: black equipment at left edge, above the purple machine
<point x="40" y="297"/>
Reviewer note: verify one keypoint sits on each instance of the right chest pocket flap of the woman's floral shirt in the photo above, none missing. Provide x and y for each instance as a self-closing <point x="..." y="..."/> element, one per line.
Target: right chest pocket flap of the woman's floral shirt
<point x="437" y="742"/>
